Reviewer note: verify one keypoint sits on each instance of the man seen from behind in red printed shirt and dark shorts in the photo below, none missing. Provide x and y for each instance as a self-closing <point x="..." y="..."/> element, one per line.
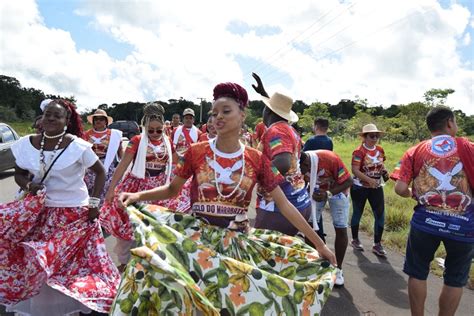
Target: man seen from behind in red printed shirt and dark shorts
<point x="441" y="171"/>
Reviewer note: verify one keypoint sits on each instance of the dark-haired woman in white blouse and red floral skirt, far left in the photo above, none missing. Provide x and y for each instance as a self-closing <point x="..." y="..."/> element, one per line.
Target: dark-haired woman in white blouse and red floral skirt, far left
<point x="52" y="254"/>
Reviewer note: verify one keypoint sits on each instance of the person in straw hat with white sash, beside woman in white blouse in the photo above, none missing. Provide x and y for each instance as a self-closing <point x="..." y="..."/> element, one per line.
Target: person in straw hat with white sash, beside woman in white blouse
<point x="106" y="143"/>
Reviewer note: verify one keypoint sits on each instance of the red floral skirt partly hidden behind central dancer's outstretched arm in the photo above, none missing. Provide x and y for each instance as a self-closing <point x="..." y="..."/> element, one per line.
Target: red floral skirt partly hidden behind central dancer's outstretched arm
<point x="115" y="220"/>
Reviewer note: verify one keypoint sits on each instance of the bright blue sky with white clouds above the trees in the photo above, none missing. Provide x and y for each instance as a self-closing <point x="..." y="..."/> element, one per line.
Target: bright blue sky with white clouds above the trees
<point x="113" y="51"/>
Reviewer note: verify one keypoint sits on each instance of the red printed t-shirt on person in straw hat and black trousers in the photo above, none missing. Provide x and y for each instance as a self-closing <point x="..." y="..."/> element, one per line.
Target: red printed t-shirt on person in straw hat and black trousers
<point x="370" y="162"/>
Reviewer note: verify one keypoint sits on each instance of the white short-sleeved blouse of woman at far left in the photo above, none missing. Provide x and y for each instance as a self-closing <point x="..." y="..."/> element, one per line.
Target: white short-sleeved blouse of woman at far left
<point x="65" y="186"/>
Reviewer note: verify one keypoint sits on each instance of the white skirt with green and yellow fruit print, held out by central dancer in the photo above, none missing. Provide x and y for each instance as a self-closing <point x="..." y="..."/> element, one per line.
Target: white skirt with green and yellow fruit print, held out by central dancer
<point x="182" y="265"/>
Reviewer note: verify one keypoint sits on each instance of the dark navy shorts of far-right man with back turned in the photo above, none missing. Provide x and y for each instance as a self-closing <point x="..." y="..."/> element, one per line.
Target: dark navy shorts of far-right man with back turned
<point x="421" y="248"/>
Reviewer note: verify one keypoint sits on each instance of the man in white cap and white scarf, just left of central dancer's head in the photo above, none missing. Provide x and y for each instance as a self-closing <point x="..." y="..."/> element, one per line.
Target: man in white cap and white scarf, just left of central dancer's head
<point x="186" y="134"/>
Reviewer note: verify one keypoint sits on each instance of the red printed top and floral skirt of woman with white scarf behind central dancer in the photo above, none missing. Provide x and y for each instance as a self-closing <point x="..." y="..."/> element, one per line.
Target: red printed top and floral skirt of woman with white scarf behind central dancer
<point x="113" y="218"/>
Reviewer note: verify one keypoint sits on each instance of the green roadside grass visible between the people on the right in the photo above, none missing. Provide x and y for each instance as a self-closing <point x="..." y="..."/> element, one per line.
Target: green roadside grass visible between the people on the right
<point x="398" y="210"/>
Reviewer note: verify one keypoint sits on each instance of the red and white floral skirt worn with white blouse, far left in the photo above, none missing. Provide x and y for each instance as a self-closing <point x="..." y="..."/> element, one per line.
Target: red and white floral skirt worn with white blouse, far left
<point x="56" y="246"/>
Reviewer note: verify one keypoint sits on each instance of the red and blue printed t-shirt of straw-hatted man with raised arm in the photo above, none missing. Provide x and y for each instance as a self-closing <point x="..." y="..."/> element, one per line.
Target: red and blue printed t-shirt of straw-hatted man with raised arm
<point x="280" y="138"/>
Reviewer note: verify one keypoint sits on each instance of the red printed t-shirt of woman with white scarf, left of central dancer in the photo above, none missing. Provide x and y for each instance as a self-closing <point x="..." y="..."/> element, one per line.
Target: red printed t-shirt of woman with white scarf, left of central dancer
<point x="156" y="155"/>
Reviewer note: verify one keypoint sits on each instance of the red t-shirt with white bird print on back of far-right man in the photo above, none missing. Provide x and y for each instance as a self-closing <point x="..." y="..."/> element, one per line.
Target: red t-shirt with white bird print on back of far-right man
<point x="441" y="187"/>
